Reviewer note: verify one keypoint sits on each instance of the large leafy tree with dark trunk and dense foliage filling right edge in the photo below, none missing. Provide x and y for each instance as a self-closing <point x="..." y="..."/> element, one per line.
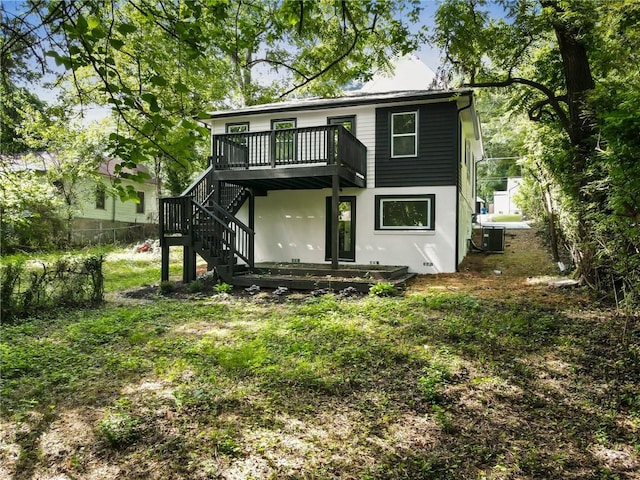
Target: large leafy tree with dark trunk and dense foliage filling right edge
<point x="570" y="74"/>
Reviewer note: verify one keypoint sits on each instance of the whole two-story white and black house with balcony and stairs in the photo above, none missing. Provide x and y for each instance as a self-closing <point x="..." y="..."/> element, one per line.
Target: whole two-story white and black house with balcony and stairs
<point x="370" y="178"/>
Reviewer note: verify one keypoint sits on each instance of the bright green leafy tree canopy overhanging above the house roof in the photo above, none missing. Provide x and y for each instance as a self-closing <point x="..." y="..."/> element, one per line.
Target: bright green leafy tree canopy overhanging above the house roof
<point x="160" y="64"/>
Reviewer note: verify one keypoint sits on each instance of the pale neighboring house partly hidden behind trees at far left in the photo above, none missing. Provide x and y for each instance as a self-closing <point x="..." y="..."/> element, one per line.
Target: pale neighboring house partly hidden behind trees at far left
<point x="98" y="213"/>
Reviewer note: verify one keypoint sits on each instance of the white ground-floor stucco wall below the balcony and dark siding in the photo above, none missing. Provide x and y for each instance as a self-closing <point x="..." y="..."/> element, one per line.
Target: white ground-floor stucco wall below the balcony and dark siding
<point x="290" y="224"/>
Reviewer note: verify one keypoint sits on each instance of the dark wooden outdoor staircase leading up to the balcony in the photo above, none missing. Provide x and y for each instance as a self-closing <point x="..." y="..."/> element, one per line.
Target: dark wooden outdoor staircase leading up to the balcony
<point x="202" y="220"/>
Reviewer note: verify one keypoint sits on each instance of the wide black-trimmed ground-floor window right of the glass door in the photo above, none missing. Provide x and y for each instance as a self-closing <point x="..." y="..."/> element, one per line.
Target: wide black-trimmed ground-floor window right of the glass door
<point x="405" y="212"/>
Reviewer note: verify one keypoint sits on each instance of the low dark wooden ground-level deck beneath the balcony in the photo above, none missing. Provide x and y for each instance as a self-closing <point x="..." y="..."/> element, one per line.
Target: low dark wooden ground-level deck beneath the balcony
<point x="314" y="276"/>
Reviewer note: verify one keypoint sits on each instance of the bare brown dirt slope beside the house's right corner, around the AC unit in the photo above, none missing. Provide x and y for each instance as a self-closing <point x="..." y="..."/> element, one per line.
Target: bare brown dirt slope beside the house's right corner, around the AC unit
<point x="526" y="268"/>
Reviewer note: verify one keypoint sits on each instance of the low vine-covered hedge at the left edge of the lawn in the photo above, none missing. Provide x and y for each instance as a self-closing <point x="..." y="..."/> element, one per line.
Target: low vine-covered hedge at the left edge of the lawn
<point x="68" y="281"/>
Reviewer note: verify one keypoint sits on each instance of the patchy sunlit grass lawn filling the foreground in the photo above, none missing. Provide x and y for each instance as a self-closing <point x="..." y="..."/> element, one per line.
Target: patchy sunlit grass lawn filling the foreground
<point x="469" y="376"/>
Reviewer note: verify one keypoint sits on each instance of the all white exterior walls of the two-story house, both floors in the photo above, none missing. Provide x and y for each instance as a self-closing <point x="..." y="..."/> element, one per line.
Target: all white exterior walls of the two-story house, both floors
<point x="290" y="224"/>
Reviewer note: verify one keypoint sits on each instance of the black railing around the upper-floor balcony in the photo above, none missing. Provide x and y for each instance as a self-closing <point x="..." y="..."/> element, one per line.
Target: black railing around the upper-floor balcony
<point x="329" y="144"/>
